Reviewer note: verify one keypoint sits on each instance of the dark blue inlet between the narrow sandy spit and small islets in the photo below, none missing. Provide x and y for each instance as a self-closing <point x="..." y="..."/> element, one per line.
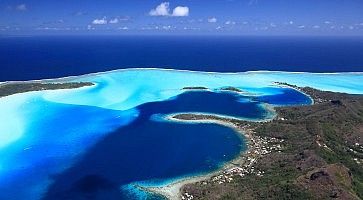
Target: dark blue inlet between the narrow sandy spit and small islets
<point x="210" y="102"/>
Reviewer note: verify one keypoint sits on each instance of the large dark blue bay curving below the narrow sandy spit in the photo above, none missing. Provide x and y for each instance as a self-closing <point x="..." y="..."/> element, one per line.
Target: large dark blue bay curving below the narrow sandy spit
<point x="139" y="153"/>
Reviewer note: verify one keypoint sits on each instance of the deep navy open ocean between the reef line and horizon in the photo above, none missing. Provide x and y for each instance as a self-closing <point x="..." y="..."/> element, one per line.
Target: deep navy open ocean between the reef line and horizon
<point x="25" y="58"/>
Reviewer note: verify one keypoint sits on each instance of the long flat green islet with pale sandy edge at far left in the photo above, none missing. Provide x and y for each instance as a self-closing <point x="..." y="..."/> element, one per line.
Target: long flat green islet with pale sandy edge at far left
<point x="7" y="89"/>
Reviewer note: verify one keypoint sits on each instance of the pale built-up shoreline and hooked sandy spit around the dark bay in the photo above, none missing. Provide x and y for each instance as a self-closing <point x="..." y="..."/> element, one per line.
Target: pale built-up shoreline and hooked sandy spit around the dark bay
<point x="246" y="158"/>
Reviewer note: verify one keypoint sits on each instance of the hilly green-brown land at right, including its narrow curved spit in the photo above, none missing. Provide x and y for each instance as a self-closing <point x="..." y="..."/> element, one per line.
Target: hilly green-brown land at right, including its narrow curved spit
<point x="306" y="152"/>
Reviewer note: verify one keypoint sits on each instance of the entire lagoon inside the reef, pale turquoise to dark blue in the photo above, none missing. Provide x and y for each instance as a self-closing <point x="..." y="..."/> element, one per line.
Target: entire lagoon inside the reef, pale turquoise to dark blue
<point x="96" y="141"/>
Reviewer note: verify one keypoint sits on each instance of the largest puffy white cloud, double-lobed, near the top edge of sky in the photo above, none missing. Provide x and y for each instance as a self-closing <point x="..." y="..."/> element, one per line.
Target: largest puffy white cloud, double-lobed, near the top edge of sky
<point x="164" y="10"/>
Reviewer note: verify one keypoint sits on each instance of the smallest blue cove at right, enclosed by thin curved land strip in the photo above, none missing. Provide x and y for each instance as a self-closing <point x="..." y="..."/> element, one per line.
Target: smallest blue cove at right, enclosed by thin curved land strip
<point x="287" y="97"/>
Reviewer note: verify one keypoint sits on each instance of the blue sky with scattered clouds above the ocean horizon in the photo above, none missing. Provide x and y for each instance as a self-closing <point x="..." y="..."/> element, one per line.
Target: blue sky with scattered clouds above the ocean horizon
<point x="182" y="17"/>
